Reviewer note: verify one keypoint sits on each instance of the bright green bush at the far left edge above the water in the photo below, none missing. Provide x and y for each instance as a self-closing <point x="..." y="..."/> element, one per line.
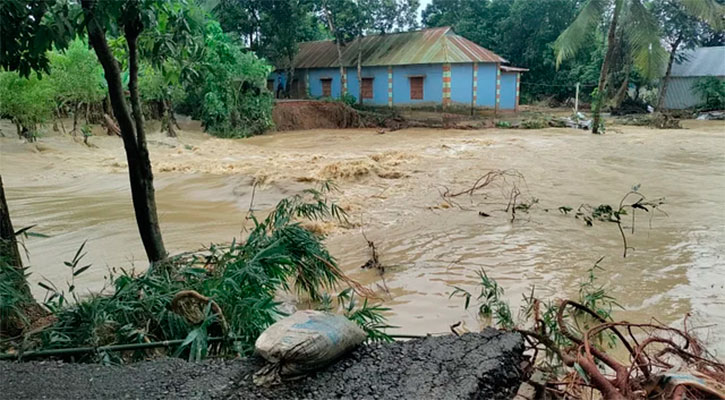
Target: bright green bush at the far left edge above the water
<point x="28" y="102"/>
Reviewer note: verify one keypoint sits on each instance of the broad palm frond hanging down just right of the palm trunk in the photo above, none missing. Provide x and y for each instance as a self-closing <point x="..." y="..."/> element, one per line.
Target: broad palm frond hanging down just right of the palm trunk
<point x="643" y="35"/>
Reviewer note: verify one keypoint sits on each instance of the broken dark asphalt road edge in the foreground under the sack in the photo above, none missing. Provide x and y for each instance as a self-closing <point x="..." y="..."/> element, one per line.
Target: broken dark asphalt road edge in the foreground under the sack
<point x="474" y="366"/>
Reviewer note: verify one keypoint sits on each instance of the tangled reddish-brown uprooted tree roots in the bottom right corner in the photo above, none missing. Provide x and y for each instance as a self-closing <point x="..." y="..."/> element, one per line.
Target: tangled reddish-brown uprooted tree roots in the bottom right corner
<point x="664" y="362"/>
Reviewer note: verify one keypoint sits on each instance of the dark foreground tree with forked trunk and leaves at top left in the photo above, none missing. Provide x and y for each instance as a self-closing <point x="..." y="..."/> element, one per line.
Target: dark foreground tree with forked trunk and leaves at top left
<point x="34" y="27"/>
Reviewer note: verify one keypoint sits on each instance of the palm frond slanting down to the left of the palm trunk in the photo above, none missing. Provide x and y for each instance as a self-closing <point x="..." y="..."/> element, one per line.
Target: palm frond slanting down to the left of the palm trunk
<point x="576" y="35"/>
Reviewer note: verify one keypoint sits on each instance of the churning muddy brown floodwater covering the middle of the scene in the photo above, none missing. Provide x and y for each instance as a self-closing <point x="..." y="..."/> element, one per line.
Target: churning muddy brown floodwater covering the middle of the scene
<point x="391" y="185"/>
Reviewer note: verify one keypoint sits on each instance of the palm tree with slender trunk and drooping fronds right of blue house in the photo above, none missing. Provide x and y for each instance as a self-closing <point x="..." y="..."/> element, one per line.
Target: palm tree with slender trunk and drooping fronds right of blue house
<point x="639" y="28"/>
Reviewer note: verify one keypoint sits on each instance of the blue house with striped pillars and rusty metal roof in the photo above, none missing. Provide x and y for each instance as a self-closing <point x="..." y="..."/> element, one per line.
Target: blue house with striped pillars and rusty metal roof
<point x="427" y="67"/>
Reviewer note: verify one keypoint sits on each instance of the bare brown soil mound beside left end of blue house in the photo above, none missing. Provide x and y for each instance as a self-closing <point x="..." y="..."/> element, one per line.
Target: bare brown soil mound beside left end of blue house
<point x="311" y="114"/>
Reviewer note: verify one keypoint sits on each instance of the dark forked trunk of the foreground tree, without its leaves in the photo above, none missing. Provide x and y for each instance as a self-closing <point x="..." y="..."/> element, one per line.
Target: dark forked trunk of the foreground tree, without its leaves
<point x="134" y="140"/>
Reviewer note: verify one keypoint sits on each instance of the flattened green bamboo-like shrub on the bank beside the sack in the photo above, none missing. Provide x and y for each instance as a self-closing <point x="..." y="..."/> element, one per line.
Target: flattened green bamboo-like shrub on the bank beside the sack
<point x="238" y="281"/>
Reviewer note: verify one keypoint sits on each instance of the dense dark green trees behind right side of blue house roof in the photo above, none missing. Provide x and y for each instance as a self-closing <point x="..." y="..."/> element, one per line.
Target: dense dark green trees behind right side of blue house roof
<point x="523" y="32"/>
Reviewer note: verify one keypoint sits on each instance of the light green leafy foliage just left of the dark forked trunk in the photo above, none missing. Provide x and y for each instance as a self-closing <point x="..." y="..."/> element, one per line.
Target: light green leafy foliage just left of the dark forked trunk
<point x="76" y="75"/>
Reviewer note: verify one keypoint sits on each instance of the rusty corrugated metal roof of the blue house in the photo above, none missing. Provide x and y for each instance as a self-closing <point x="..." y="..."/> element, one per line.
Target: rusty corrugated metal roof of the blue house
<point x="427" y="46"/>
